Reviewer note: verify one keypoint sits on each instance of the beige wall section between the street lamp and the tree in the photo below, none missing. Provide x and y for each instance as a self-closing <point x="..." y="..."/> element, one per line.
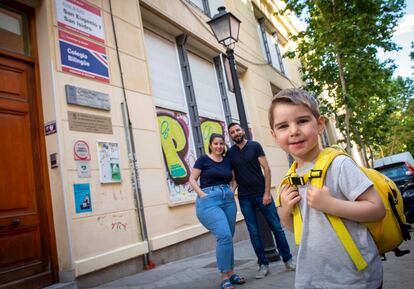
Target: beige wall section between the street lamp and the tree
<point x="259" y="76"/>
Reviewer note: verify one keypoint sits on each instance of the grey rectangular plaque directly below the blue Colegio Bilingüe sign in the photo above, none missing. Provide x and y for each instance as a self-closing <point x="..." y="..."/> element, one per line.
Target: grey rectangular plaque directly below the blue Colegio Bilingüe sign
<point x="86" y="97"/>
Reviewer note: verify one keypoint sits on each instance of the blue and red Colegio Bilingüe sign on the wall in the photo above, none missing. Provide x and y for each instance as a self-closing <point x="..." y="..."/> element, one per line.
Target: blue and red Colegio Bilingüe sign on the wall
<point x="82" y="57"/>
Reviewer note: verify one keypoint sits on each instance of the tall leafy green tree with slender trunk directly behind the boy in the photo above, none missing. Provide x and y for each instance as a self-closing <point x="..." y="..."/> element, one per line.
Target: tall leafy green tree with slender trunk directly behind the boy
<point x="338" y="52"/>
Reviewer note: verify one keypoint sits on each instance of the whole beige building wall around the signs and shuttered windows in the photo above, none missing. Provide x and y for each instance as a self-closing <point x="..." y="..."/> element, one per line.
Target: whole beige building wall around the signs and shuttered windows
<point x="89" y="241"/>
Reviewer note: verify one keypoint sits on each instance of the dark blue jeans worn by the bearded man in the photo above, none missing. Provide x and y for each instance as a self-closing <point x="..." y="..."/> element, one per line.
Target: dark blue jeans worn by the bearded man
<point x="248" y="209"/>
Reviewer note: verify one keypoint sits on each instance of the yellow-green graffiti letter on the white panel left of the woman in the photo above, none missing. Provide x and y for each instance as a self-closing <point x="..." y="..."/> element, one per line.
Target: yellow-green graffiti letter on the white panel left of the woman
<point x="179" y="154"/>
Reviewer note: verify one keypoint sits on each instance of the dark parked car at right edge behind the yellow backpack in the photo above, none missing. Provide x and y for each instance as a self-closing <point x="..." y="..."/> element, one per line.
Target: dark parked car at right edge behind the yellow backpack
<point x="402" y="173"/>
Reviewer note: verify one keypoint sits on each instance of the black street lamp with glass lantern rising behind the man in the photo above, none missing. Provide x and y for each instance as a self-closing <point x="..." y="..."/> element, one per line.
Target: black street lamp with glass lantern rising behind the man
<point x="225" y="27"/>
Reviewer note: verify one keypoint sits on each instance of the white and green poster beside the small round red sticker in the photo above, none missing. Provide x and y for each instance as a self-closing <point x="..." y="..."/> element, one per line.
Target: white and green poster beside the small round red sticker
<point x="108" y="161"/>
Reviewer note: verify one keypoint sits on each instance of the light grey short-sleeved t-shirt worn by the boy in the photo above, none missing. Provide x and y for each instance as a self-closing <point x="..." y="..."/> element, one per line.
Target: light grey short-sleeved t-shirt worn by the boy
<point x="322" y="261"/>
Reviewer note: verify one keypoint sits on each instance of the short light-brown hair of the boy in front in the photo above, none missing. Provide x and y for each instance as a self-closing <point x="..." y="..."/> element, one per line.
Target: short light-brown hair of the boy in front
<point x="294" y="96"/>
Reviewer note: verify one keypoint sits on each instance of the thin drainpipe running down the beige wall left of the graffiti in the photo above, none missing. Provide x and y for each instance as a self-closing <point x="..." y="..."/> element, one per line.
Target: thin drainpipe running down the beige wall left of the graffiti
<point x="148" y="263"/>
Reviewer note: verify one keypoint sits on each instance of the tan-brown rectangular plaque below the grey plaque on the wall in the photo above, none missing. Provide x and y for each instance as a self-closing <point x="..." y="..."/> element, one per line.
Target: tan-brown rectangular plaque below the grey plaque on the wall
<point x="89" y="122"/>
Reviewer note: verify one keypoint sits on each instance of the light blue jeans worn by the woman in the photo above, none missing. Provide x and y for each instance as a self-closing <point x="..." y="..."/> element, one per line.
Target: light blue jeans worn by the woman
<point x="217" y="212"/>
